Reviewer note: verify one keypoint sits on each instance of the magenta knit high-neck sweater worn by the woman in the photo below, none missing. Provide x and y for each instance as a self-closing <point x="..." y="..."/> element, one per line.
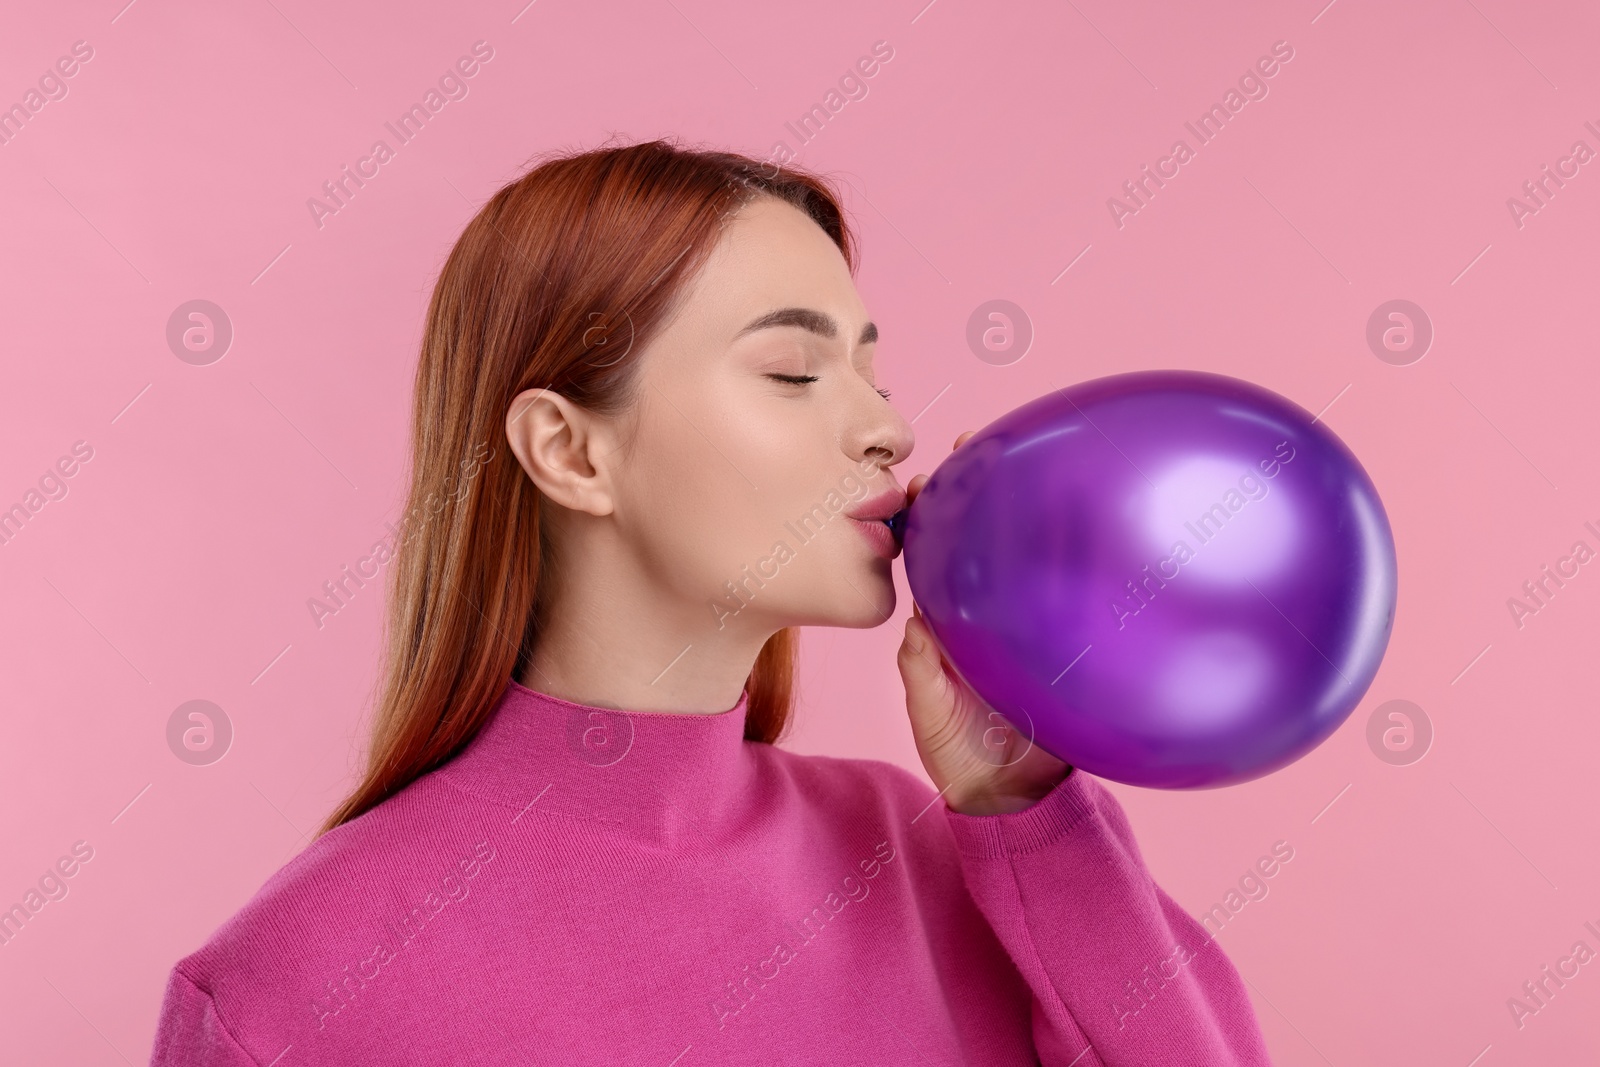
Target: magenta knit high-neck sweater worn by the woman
<point x="591" y="887"/>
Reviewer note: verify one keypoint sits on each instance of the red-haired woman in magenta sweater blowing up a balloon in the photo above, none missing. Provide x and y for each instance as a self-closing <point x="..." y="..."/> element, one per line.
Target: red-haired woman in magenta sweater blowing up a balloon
<point x="647" y="449"/>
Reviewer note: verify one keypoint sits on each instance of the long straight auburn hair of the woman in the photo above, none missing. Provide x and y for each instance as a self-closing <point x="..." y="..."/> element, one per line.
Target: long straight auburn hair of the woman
<point x="558" y="282"/>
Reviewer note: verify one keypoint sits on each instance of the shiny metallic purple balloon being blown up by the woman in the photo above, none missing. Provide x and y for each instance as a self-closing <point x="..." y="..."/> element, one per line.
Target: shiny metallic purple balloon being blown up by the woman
<point x="1169" y="578"/>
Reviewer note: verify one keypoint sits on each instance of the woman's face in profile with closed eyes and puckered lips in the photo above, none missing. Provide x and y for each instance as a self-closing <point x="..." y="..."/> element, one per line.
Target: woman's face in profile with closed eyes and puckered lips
<point x="742" y="473"/>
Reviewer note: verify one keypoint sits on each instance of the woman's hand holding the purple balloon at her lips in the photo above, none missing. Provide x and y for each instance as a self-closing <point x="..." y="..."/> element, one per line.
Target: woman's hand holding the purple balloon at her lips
<point x="977" y="761"/>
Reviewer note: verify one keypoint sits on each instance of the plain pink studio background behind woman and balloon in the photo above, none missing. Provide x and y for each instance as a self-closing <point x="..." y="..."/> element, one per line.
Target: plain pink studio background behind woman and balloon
<point x="980" y="167"/>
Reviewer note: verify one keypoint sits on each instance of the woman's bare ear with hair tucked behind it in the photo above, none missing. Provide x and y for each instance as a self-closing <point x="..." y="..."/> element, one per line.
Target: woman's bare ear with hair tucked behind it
<point x="564" y="449"/>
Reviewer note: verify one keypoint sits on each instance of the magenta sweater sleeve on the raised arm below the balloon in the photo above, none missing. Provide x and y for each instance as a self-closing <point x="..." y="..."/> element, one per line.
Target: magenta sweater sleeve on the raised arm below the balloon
<point x="1121" y="975"/>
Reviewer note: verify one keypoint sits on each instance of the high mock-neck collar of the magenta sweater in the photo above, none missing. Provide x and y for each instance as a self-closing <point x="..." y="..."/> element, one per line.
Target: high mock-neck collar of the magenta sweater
<point x="662" y="777"/>
